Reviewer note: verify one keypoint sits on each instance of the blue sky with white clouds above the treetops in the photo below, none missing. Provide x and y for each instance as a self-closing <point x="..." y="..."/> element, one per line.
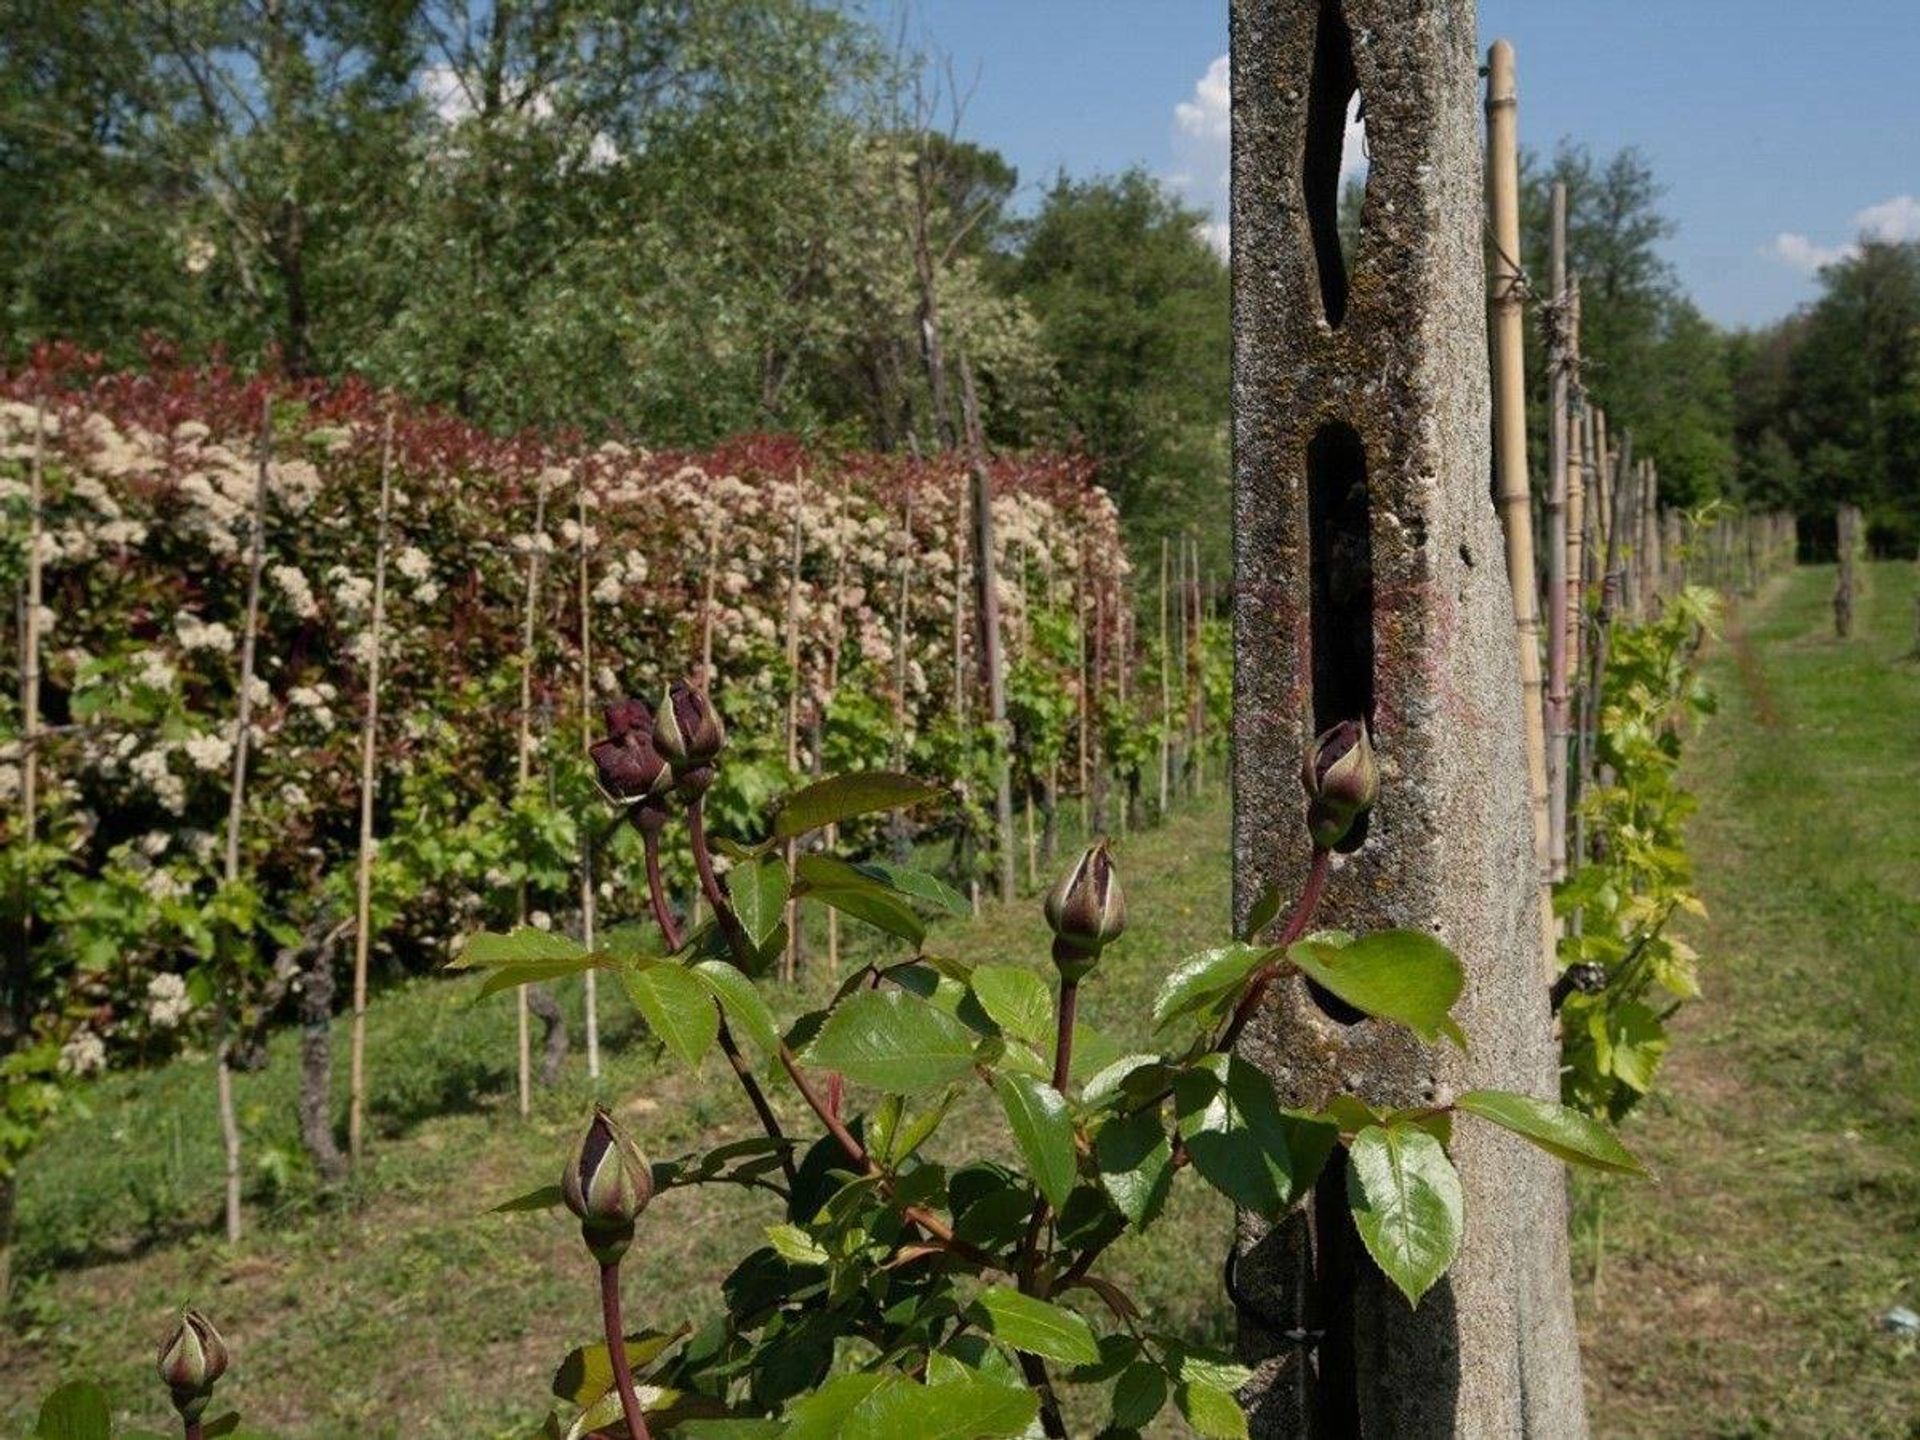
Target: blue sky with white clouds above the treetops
<point x="1781" y="128"/>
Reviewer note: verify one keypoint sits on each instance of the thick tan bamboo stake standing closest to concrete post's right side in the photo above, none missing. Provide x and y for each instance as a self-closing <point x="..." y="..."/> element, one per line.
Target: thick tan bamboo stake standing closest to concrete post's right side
<point x="1510" y="421"/>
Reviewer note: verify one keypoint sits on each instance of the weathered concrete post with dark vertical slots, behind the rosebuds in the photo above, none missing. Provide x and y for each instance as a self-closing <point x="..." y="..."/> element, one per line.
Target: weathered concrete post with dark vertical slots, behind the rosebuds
<point x="1372" y="583"/>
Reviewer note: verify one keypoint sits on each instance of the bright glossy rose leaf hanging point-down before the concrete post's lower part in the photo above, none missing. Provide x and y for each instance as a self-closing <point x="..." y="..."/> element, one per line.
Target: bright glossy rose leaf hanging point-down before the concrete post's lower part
<point x="1406" y="1205"/>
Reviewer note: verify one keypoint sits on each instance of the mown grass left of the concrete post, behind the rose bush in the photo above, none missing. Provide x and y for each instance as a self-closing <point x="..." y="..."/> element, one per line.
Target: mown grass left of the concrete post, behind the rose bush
<point x="400" y="1308"/>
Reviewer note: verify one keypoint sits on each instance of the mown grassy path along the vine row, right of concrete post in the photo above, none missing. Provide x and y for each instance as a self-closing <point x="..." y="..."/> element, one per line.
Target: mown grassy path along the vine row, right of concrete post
<point x="1742" y="1297"/>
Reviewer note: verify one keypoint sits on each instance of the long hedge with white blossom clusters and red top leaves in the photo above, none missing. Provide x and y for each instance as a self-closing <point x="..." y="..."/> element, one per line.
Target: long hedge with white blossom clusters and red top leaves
<point x="149" y="491"/>
